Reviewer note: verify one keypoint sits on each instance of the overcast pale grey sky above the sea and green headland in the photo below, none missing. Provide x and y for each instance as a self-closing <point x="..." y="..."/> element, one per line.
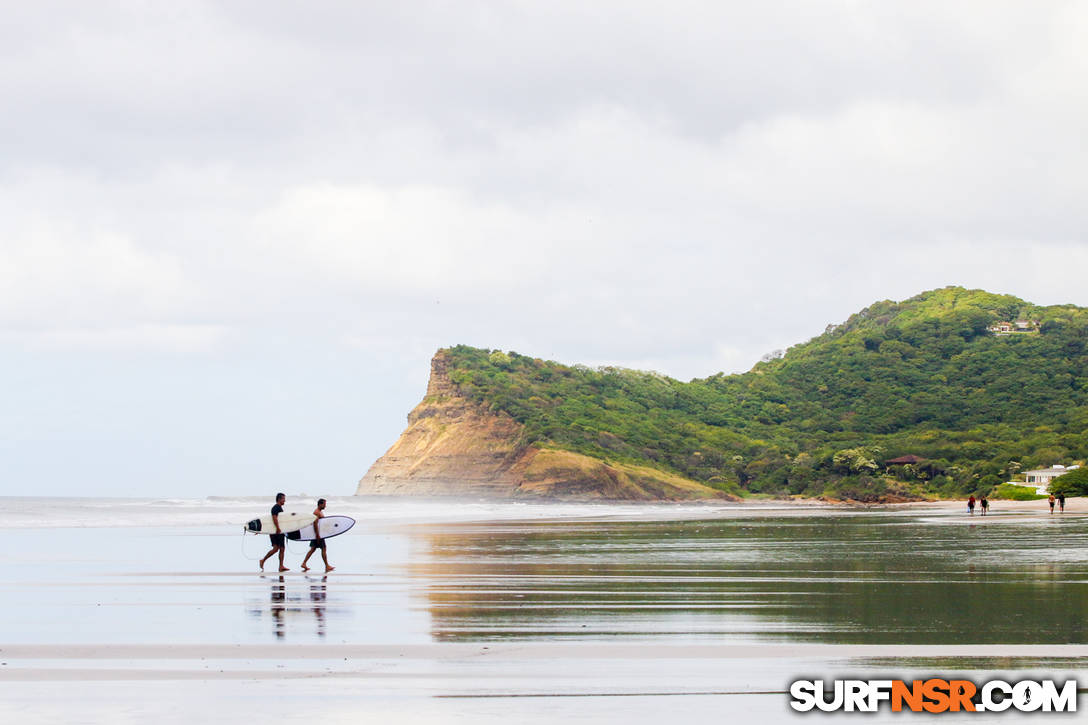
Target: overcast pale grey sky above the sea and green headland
<point x="232" y="235"/>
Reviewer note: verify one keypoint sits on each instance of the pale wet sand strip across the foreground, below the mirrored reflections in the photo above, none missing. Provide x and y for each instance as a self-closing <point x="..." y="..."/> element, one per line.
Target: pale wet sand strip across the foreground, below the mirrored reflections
<point x="474" y="672"/>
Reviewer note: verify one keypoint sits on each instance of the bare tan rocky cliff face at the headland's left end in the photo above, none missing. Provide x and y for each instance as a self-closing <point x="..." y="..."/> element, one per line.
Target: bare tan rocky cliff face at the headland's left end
<point x="453" y="447"/>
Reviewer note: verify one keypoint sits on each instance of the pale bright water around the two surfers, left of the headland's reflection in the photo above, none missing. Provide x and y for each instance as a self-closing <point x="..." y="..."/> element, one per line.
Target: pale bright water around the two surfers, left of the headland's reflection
<point x="85" y="571"/>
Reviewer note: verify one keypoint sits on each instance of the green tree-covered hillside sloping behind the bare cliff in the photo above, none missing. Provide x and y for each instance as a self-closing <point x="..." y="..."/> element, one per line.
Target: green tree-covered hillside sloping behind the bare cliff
<point x="924" y="377"/>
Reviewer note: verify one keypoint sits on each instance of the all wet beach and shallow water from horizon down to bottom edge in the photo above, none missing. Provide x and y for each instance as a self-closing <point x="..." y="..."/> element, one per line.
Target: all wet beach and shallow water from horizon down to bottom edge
<point x="435" y="610"/>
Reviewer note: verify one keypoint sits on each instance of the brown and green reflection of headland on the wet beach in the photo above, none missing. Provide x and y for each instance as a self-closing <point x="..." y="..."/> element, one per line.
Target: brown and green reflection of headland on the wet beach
<point x="822" y="577"/>
